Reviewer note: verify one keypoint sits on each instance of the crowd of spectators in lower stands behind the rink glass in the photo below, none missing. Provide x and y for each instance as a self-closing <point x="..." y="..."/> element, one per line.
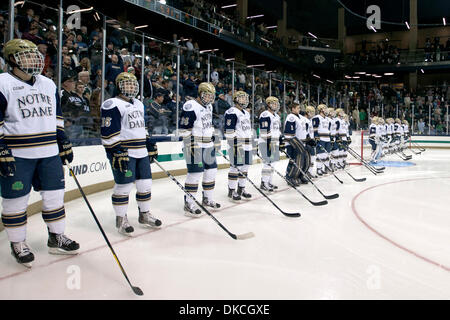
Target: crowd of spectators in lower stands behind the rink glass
<point x="82" y="80"/>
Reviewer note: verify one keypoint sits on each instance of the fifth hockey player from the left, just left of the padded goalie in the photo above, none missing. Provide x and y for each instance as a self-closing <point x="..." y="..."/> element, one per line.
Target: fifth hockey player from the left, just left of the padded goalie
<point x="269" y="141"/>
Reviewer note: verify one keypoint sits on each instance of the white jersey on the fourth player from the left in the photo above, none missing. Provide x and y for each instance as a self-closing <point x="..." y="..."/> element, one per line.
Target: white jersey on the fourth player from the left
<point x="238" y="125"/>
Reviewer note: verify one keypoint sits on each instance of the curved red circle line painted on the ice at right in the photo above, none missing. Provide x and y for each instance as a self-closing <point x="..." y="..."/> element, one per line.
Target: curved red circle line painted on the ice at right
<point x="446" y="268"/>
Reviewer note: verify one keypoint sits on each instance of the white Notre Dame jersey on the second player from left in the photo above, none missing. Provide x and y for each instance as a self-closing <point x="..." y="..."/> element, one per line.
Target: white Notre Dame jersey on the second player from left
<point x="123" y="124"/>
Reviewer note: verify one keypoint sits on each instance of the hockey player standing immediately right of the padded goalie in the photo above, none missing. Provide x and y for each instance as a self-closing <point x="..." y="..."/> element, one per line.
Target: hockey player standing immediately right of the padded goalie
<point x="321" y="125"/>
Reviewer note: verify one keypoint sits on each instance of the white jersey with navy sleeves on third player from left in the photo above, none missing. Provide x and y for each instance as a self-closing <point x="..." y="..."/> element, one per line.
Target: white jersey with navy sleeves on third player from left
<point x="196" y="121"/>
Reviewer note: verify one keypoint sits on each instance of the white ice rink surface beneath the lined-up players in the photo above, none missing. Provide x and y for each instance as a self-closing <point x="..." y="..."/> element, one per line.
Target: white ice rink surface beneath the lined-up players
<point x="385" y="238"/>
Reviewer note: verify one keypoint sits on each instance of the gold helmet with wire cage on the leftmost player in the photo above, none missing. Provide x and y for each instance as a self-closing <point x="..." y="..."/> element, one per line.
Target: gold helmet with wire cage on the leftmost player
<point x="26" y="55"/>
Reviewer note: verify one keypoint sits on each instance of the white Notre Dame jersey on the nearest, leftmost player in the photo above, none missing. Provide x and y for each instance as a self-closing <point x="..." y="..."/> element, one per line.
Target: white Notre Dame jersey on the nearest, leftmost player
<point x="30" y="115"/>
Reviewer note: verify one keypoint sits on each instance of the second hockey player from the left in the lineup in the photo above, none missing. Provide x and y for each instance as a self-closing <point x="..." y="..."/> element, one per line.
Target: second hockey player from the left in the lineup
<point x="130" y="152"/>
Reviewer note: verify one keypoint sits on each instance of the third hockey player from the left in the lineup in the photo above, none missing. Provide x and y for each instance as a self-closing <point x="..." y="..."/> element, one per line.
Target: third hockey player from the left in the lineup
<point x="200" y="145"/>
